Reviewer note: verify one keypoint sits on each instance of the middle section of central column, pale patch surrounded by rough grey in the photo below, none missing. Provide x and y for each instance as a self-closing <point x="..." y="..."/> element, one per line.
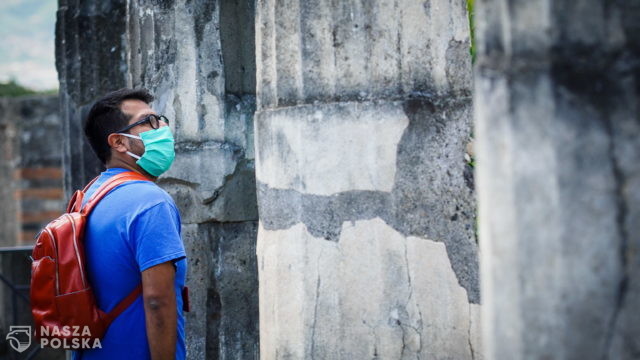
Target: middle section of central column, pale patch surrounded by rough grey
<point x="428" y="197"/>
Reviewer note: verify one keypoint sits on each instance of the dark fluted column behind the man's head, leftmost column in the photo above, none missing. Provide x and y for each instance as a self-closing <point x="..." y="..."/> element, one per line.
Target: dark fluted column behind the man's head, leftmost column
<point x="91" y="59"/>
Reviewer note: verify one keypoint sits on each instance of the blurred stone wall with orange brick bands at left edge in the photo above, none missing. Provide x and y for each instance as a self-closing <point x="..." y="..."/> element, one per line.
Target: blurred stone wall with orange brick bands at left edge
<point x="31" y="164"/>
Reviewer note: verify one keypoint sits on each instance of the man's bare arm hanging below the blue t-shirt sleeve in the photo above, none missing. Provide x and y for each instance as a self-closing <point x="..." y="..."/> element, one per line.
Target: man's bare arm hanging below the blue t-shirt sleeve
<point x="161" y="315"/>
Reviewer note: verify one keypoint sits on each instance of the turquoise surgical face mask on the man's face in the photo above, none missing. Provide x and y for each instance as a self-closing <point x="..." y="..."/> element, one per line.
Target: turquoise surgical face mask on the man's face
<point x="158" y="150"/>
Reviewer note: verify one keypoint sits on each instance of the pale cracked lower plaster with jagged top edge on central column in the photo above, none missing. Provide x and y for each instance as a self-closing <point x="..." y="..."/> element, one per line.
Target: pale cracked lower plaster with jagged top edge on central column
<point x="408" y="306"/>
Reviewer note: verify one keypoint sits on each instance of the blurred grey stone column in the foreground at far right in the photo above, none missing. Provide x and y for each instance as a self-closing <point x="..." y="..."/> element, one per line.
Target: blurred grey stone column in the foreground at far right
<point x="558" y="126"/>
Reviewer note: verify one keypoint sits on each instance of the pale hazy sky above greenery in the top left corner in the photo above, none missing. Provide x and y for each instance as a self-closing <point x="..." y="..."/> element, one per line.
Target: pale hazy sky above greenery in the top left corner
<point x="27" y="49"/>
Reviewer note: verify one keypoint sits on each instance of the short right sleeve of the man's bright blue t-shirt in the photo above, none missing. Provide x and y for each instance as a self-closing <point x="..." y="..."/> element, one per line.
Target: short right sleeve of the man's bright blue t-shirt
<point x="156" y="236"/>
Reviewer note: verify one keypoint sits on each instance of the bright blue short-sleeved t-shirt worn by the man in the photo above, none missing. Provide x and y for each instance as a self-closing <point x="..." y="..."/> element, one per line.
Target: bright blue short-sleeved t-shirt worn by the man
<point x="134" y="227"/>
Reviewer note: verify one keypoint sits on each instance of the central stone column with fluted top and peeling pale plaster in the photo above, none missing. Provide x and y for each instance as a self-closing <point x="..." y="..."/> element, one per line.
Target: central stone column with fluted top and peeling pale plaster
<point x="366" y="244"/>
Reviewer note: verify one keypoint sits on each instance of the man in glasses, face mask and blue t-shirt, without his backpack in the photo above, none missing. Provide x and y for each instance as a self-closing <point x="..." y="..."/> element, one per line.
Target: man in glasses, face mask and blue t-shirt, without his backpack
<point x="133" y="234"/>
